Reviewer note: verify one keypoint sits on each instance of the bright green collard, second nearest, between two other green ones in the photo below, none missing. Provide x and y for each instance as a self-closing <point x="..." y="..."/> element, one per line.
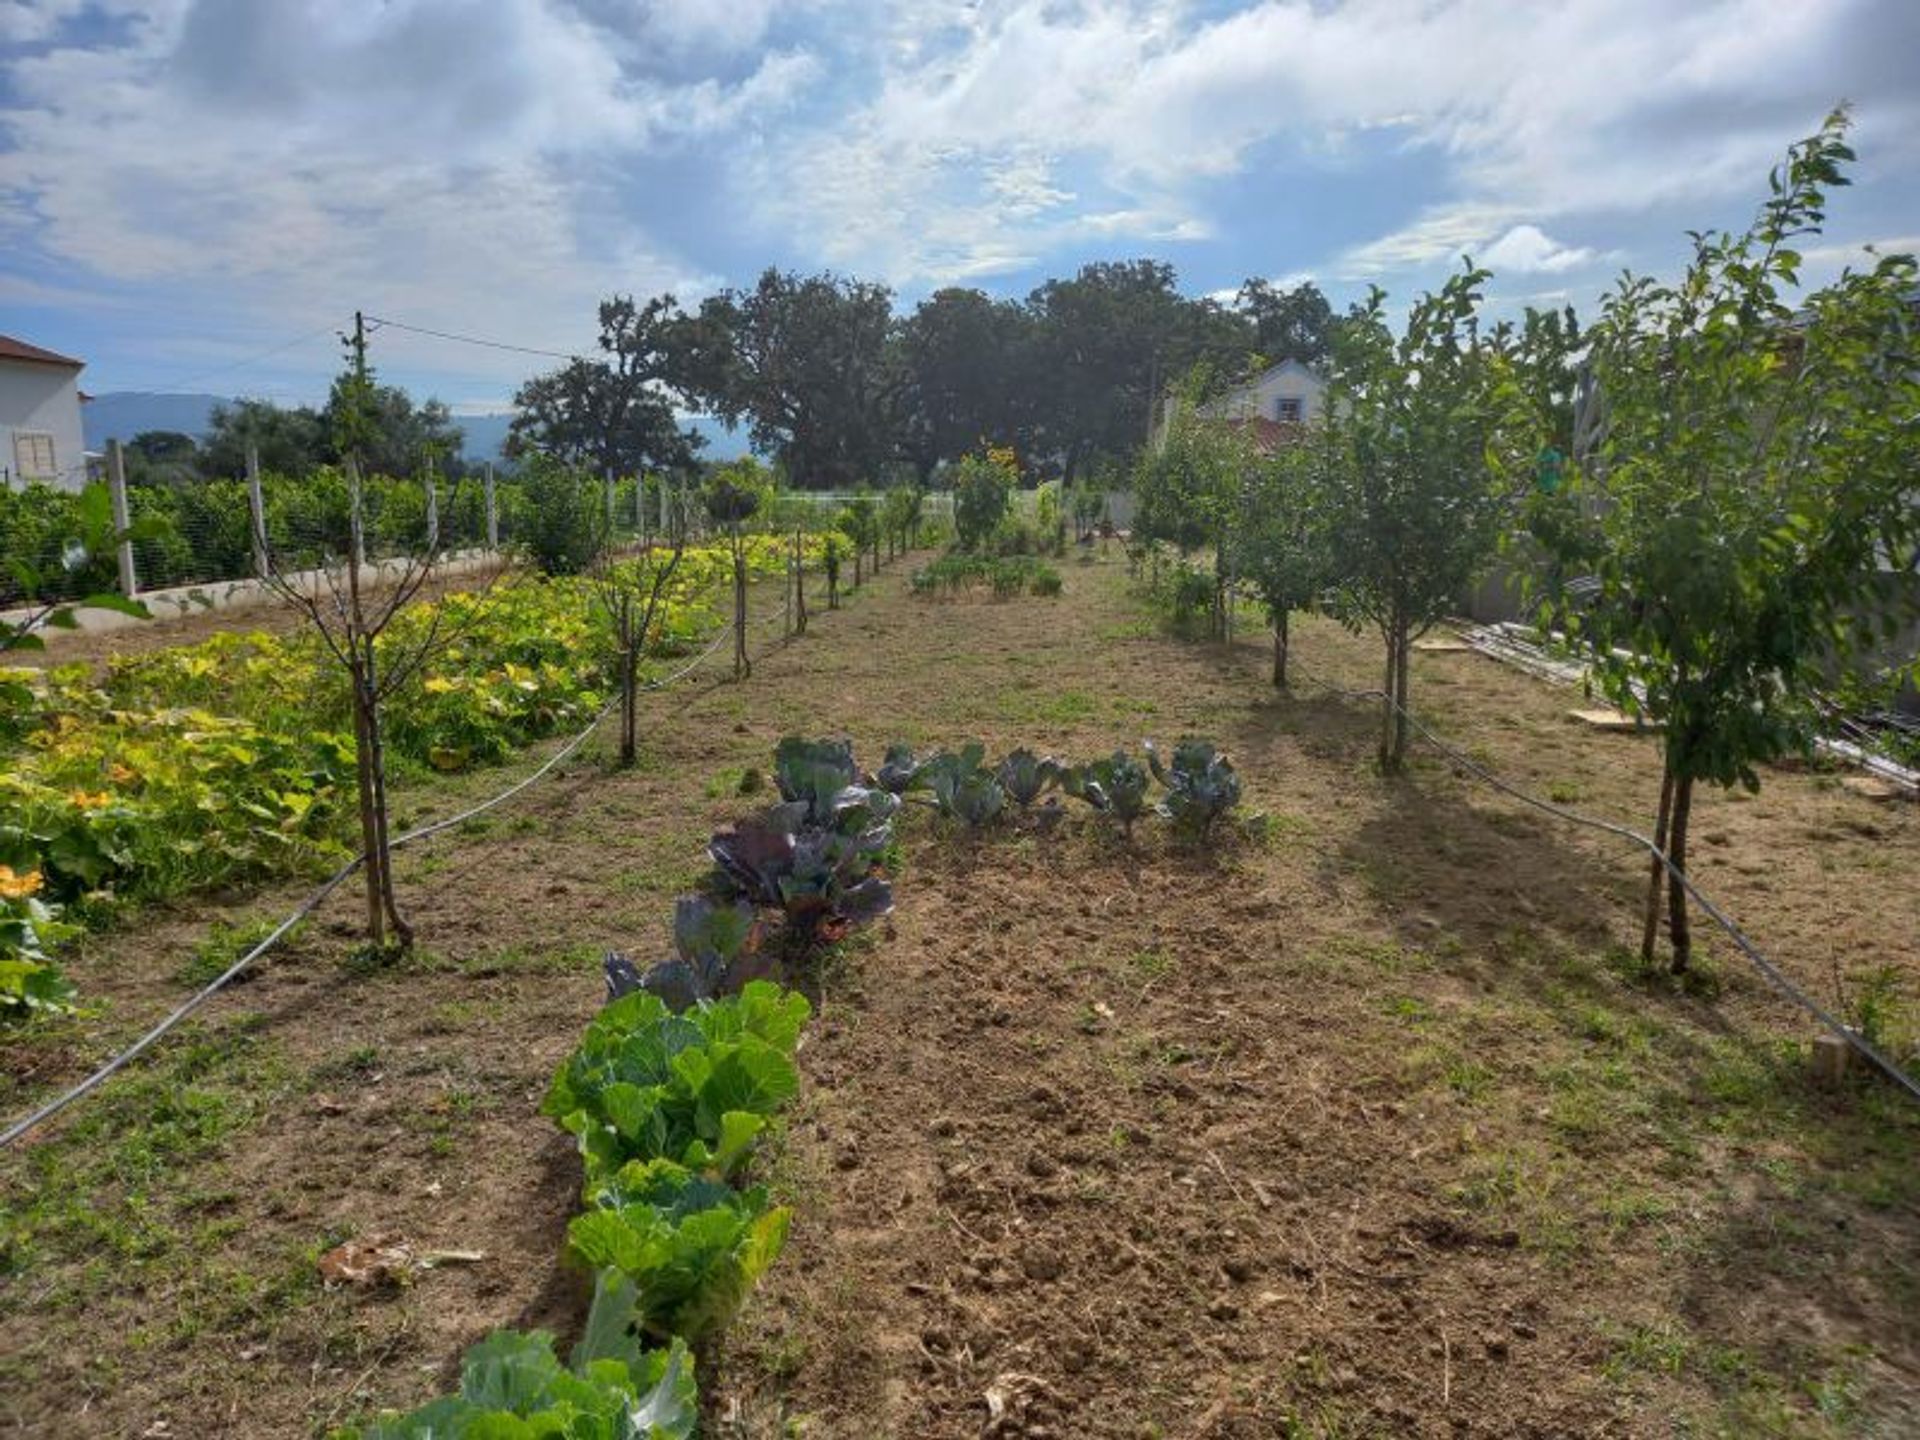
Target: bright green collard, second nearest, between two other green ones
<point x="692" y="1247"/>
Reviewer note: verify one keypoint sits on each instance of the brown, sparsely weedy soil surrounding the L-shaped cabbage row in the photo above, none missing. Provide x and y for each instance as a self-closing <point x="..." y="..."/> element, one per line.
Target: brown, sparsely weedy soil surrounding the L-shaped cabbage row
<point x="1360" y="1120"/>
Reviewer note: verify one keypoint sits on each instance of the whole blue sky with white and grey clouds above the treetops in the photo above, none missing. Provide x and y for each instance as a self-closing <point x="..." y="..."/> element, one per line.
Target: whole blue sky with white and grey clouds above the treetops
<point x="197" y="195"/>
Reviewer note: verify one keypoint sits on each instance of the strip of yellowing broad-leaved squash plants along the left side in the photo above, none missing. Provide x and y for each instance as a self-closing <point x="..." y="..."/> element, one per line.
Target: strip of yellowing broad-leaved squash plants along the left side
<point x="233" y="759"/>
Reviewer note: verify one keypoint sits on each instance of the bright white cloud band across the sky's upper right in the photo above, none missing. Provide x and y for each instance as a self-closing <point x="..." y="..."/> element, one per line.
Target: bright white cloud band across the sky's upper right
<point x="1547" y="116"/>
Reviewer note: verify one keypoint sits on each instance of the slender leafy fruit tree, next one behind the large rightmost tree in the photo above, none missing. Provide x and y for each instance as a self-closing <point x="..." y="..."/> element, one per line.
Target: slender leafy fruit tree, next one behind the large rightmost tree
<point x="1418" y="437"/>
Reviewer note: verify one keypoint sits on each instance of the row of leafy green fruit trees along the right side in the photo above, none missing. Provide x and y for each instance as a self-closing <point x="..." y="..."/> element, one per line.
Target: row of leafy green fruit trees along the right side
<point x="1708" y="492"/>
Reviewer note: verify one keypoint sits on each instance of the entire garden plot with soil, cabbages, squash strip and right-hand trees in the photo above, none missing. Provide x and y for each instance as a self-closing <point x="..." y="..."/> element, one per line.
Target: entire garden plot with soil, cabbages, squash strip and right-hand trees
<point x="1019" y="1078"/>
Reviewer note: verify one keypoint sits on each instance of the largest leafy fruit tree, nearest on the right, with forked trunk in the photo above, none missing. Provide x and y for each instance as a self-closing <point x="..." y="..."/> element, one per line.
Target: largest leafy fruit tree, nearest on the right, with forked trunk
<point x="1746" y="521"/>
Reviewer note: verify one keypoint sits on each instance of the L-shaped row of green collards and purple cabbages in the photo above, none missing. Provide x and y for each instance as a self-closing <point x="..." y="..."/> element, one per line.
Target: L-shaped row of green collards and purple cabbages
<point x="679" y="1078"/>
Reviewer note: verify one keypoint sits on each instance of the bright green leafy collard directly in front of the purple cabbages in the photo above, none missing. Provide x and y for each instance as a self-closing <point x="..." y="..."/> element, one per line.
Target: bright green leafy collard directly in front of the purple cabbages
<point x="696" y="1090"/>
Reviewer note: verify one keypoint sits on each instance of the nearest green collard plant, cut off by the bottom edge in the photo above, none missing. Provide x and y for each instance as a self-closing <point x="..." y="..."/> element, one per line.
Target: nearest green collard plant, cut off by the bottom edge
<point x="514" y="1385"/>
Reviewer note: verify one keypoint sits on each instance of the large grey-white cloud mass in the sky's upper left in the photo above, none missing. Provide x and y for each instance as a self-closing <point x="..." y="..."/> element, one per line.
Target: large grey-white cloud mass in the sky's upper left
<point x="441" y="162"/>
